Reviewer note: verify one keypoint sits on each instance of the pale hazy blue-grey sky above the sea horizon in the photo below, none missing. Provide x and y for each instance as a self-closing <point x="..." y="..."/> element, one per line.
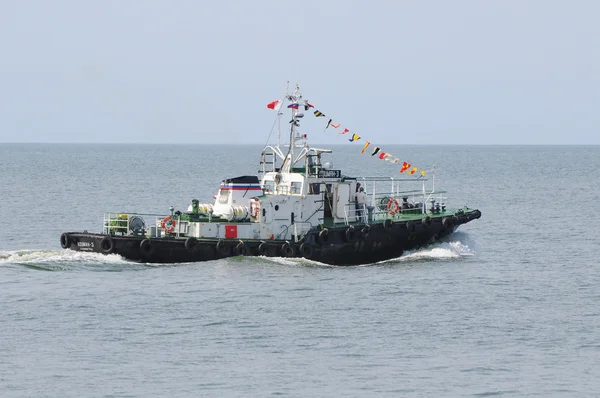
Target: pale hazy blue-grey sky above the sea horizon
<point x="414" y="72"/>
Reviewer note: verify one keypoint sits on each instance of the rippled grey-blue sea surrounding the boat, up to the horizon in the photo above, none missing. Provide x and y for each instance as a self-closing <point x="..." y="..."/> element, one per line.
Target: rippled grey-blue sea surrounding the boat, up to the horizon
<point x="508" y="306"/>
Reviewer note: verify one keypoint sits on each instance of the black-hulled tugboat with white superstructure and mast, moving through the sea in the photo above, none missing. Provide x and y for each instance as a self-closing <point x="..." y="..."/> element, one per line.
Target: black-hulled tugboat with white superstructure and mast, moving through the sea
<point x="297" y="206"/>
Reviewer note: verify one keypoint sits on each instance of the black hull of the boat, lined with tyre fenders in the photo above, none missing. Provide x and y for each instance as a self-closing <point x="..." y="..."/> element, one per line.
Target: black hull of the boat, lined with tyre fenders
<point x="337" y="246"/>
